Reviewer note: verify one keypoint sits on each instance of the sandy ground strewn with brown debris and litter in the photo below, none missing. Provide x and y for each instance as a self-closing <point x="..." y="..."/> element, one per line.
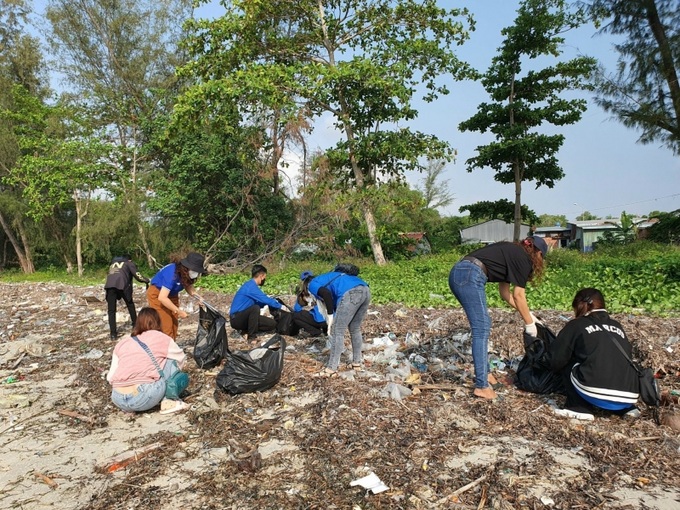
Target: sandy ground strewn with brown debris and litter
<point x="302" y="443"/>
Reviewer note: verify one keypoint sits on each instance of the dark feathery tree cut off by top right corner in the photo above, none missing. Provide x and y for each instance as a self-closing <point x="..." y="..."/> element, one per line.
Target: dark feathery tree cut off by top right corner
<point x="644" y="92"/>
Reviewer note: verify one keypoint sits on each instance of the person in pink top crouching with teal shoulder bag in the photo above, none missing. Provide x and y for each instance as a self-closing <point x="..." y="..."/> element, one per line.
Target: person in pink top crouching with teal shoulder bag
<point x="137" y="384"/>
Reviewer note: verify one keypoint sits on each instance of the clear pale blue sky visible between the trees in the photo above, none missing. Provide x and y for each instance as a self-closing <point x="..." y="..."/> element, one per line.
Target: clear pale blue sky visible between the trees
<point x="606" y="170"/>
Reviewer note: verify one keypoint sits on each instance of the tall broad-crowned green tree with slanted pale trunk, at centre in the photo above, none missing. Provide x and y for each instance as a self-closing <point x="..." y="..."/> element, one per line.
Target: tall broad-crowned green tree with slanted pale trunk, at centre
<point x="359" y="60"/>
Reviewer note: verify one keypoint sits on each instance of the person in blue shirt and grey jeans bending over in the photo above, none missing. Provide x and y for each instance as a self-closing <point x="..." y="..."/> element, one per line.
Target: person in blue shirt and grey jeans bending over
<point x="344" y="299"/>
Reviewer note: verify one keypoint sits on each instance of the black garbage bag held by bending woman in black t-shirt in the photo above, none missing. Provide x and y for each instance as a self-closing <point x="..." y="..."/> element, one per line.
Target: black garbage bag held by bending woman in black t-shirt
<point x="533" y="373"/>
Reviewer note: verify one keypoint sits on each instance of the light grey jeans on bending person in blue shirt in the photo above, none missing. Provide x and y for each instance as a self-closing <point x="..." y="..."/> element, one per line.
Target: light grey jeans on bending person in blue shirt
<point x="349" y="314"/>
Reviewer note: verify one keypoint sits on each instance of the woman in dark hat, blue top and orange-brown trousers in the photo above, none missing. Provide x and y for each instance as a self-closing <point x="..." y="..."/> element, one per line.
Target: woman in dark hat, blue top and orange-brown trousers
<point x="163" y="292"/>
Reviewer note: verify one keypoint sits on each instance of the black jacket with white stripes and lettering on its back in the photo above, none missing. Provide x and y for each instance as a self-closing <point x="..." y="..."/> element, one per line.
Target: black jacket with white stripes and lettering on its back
<point x="599" y="367"/>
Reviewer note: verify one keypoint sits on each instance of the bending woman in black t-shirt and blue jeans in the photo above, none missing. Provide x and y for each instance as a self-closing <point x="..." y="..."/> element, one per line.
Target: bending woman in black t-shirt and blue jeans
<point x="508" y="264"/>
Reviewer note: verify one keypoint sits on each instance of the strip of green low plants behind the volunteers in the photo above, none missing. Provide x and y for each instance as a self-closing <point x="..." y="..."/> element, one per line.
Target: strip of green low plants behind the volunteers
<point x="639" y="278"/>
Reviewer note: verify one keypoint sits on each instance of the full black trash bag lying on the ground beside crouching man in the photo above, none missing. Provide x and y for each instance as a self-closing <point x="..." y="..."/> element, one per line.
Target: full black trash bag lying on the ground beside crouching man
<point x="243" y="374"/>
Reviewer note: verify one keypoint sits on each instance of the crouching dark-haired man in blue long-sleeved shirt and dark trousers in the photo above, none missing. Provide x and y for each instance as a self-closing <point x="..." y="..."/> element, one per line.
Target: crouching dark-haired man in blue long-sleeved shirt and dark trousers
<point x="244" y="314"/>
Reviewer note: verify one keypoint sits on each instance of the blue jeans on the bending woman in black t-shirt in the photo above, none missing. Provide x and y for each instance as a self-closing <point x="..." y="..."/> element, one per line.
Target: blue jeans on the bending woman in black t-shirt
<point x="468" y="283"/>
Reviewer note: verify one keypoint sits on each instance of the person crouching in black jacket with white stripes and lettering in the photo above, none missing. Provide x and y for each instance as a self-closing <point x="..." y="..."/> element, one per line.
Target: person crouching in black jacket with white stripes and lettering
<point x="595" y="371"/>
